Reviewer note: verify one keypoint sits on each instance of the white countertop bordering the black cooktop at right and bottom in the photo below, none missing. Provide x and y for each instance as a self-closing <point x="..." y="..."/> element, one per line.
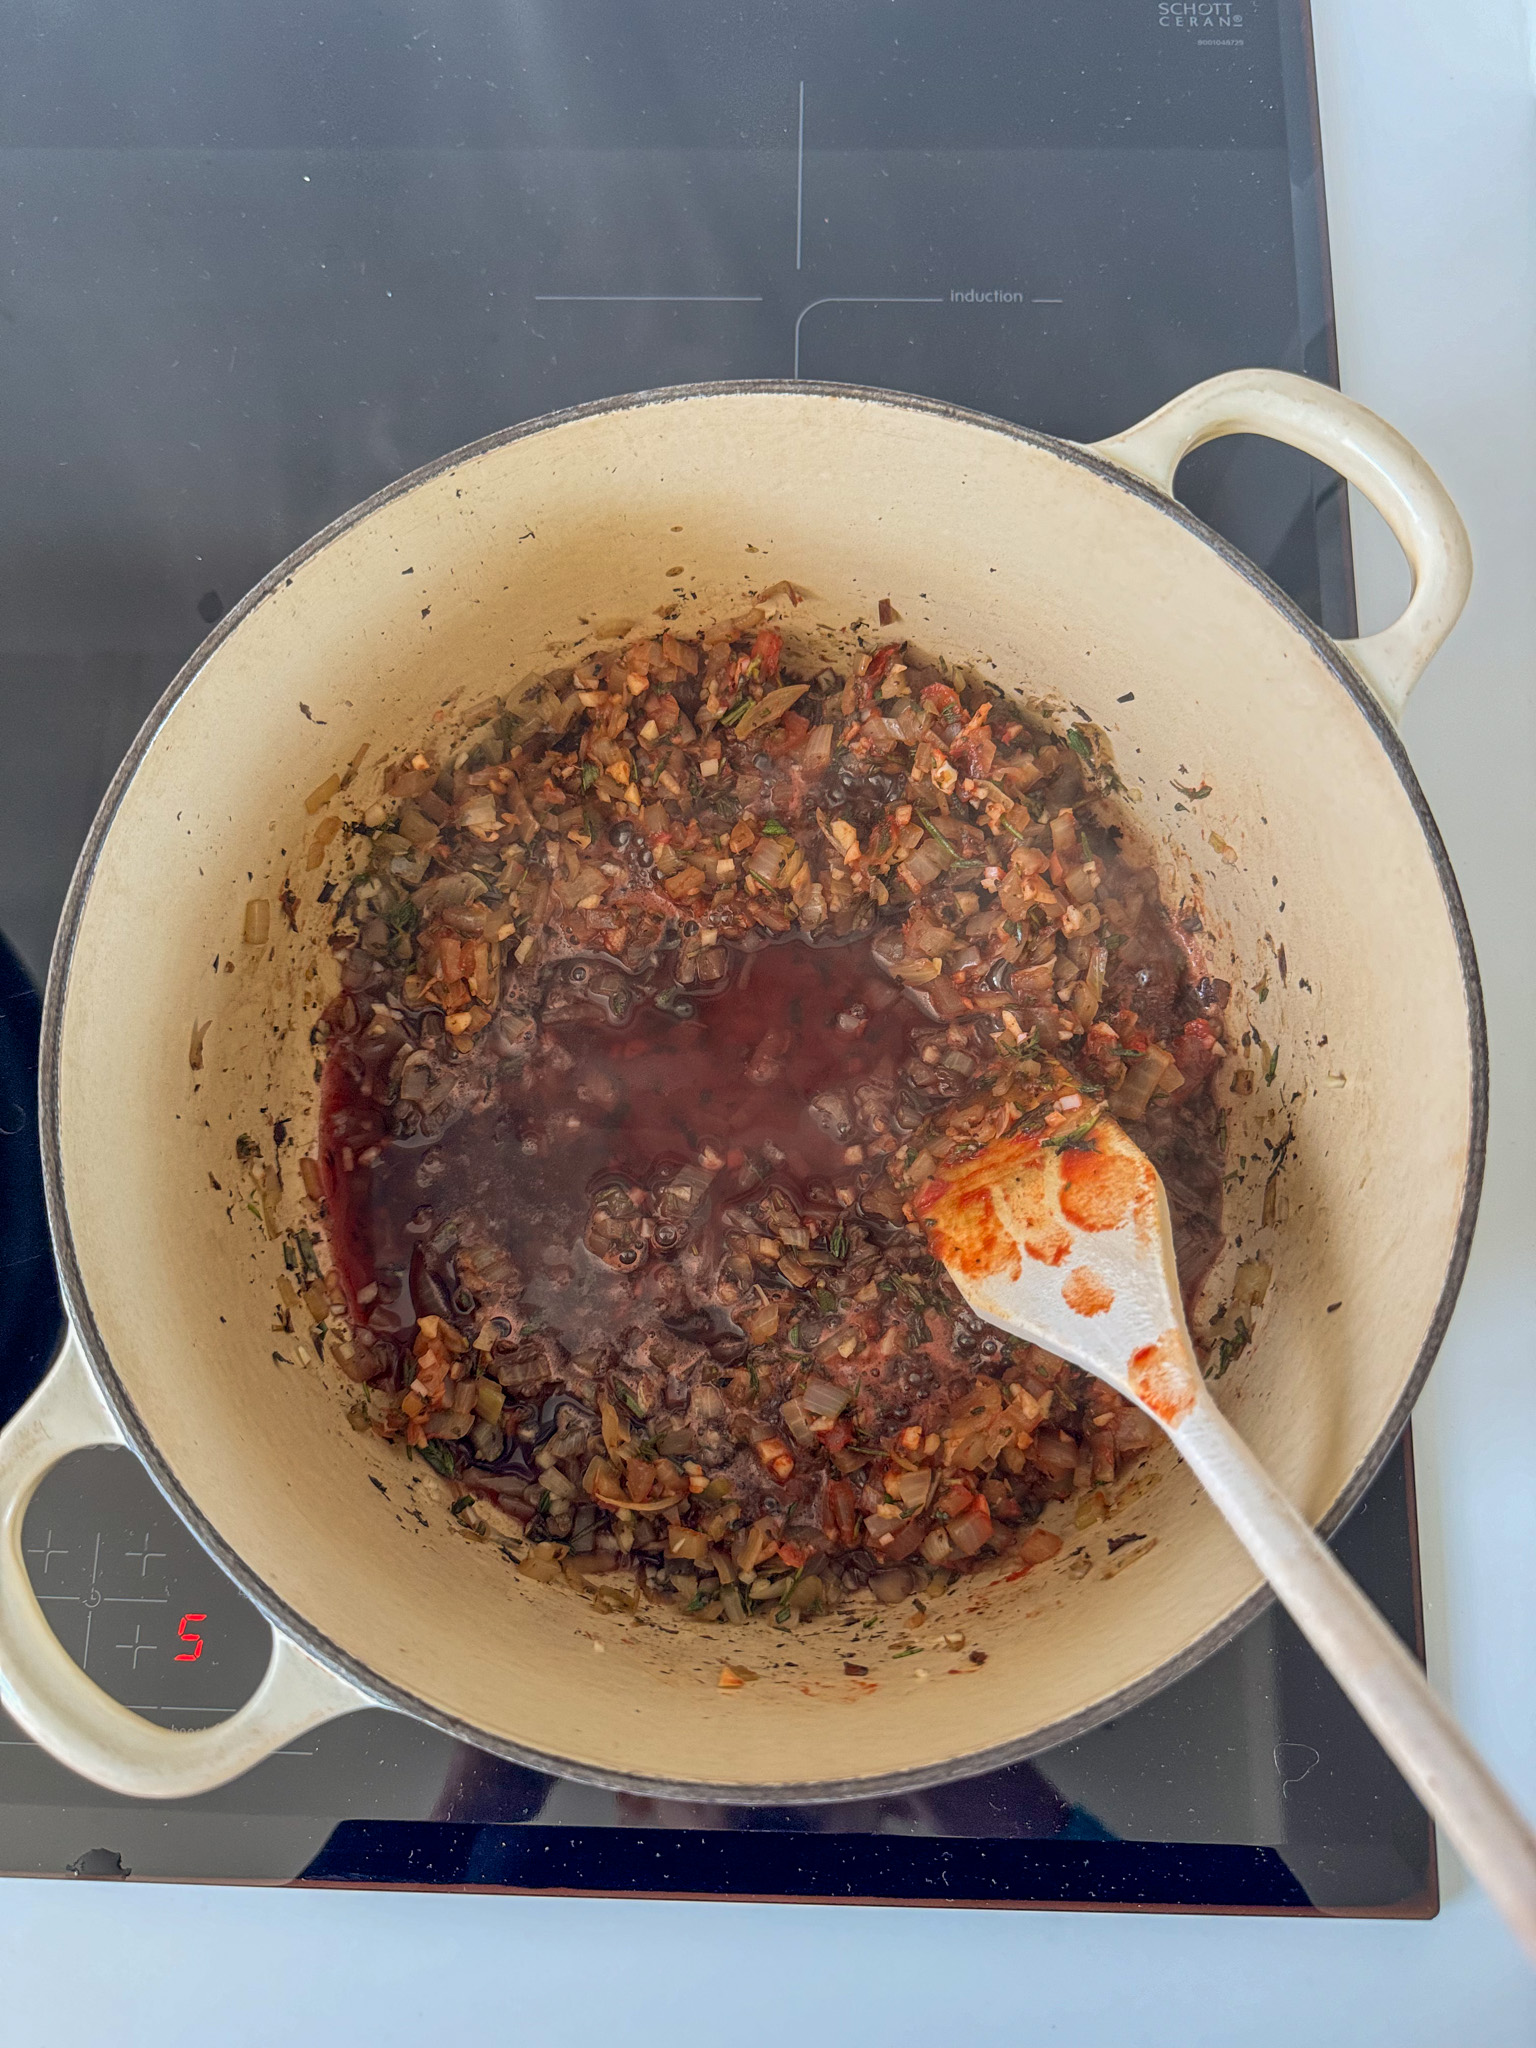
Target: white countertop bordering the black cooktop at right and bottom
<point x="1431" y="148"/>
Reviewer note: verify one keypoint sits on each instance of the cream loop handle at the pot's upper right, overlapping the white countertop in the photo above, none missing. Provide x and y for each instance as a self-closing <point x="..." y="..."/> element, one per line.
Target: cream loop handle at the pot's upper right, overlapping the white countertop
<point x="1371" y="456"/>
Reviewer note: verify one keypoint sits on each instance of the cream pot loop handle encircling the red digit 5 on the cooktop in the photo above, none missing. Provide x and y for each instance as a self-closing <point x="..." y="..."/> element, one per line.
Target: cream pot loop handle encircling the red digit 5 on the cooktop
<point x="50" y="1697"/>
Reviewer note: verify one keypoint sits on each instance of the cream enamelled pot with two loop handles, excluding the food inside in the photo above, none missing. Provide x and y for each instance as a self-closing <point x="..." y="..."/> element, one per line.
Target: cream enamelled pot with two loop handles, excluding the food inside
<point x="1064" y="572"/>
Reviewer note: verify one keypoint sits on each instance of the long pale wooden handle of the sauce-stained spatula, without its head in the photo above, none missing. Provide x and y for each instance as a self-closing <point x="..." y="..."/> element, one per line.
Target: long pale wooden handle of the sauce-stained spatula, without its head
<point x="1373" y="1668"/>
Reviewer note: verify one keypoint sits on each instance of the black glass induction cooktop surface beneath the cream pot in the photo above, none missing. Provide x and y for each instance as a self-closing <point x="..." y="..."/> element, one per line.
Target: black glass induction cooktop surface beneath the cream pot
<point x="261" y="263"/>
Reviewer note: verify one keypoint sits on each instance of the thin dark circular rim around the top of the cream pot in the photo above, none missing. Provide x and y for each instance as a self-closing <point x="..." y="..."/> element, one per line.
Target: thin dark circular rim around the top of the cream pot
<point x="271" y="1605"/>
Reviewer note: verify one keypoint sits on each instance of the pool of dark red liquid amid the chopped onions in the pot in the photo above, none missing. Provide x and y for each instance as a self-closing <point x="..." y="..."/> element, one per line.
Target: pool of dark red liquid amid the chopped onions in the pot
<point x="624" y="1089"/>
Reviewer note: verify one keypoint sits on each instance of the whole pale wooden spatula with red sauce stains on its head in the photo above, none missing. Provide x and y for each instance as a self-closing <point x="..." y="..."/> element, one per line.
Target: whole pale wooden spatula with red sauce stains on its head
<point x="1062" y="1238"/>
